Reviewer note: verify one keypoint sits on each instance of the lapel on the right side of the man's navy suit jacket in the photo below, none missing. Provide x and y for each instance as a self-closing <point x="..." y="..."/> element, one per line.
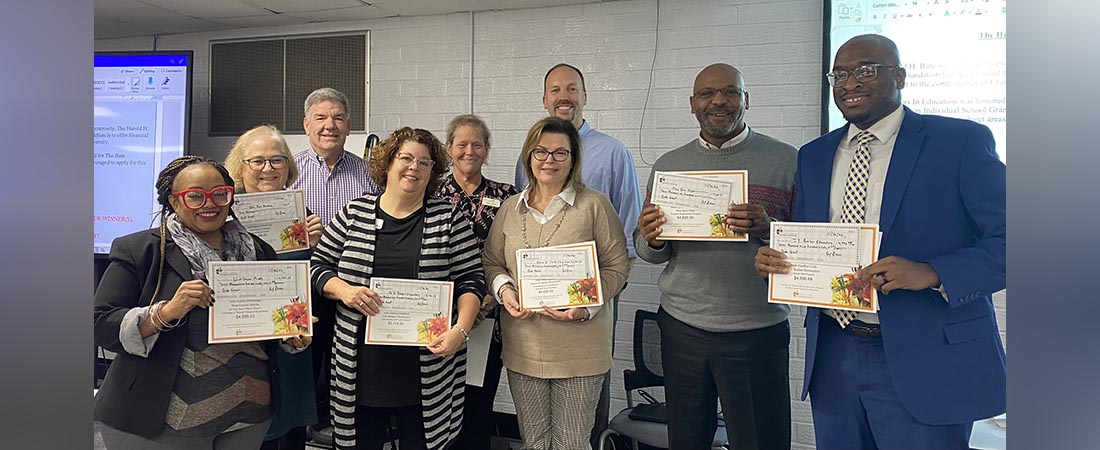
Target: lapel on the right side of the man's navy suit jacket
<point x="907" y="150"/>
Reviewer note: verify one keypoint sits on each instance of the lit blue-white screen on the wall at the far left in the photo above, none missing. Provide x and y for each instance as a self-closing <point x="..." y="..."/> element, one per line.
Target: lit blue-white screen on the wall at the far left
<point x="142" y="122"/>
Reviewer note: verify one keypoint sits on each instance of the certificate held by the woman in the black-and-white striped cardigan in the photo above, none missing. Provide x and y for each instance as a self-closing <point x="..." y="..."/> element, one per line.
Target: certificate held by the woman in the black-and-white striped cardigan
<point x="414" y="312"/>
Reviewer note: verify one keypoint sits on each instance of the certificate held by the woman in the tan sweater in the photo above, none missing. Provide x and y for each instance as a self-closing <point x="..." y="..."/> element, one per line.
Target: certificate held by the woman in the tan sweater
<point x="562" y="277"/>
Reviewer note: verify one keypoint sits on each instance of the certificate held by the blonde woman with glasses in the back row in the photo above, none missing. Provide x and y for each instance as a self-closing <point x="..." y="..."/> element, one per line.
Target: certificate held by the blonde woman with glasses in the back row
<point x="278" y="217"/>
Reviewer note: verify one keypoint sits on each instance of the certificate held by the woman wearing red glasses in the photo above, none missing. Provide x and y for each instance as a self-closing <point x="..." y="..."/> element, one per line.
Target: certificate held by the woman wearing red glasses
<point x="259" y="301"/>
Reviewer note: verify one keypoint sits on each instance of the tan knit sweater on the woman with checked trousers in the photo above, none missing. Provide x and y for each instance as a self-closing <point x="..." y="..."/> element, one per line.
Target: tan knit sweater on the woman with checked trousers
<point x="547" y="348"/>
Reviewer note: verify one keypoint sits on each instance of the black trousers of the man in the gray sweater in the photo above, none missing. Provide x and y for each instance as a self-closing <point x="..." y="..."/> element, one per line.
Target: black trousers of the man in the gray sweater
<point x="749" y="371"/>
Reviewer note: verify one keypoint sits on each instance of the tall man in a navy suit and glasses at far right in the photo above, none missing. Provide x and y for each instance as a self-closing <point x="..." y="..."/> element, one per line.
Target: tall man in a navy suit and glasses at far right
<point x="921" y="371"/>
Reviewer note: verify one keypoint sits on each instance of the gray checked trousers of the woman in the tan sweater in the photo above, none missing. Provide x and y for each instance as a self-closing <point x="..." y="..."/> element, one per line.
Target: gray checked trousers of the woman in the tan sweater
<point x="555" y="414"/>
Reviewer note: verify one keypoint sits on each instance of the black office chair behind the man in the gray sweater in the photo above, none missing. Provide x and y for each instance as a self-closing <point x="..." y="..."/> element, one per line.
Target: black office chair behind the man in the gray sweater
<point x="650" y="427"/>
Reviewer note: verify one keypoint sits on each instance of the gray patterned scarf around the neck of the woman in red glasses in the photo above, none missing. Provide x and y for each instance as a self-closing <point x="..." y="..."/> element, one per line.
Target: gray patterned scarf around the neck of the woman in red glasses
<point x="237" y="245"/>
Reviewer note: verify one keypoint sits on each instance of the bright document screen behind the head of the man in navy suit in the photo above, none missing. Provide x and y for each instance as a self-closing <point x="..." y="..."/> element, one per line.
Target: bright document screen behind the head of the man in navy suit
<point x="953" y="51"/>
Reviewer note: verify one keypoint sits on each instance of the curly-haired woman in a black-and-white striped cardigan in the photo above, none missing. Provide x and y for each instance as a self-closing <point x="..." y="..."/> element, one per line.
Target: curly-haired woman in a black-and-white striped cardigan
<point x="402" y="234"/>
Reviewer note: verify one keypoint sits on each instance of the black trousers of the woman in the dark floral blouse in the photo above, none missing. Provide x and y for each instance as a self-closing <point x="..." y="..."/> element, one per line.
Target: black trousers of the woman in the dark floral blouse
<point x="478" y="422"/>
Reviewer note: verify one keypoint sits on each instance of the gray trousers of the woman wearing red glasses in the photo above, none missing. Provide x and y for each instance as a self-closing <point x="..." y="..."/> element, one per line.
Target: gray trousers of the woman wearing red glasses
<point x="249" y="438"/>
